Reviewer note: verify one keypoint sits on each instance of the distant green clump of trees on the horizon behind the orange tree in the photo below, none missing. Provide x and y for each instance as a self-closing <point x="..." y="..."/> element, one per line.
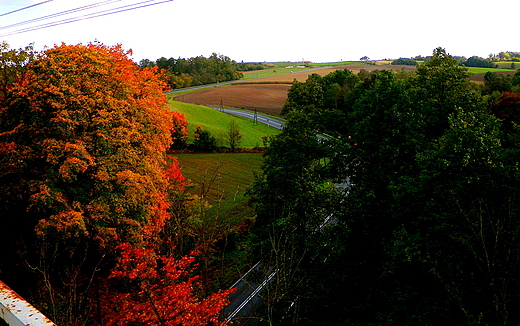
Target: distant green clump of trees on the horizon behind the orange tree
<point x="200" y="70"/>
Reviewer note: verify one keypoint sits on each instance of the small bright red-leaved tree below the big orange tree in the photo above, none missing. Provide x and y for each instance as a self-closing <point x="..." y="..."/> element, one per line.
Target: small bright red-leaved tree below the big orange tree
<point x="158" y="291"/>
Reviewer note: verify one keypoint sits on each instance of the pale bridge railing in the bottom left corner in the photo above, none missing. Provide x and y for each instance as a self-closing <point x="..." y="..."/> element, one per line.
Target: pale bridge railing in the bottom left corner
<point x="15" y="311"/>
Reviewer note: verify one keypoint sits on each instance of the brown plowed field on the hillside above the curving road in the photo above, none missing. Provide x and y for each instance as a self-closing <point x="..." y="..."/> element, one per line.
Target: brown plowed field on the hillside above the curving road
<point x="267" y="98"/>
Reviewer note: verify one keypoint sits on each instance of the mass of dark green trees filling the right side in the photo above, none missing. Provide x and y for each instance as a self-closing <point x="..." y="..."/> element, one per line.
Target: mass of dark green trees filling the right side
<point x="405" y="213"/>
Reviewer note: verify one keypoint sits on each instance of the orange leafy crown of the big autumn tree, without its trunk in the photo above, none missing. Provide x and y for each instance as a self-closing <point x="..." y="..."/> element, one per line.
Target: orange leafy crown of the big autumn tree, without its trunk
<point x="101" y="130"/>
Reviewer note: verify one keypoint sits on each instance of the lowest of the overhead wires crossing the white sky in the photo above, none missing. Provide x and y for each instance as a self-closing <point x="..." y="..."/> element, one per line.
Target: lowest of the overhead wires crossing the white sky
<point x="87" y="16"/>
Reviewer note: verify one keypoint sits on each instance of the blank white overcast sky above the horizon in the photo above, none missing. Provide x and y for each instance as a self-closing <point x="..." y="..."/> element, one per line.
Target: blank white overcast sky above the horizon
<point x="278" y="30"/>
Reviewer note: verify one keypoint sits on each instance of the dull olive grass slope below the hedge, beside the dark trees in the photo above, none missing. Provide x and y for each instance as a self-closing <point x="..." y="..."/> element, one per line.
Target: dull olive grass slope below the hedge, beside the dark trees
<point x="226" y="177"/>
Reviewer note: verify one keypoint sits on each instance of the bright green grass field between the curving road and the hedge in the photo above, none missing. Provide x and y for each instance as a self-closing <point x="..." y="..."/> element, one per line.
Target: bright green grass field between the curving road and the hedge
<point x="217" y="123"/>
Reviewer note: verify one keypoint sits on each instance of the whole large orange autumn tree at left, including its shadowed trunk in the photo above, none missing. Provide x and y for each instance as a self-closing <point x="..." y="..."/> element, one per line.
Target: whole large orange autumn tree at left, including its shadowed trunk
<point x="84" y="133"/>
